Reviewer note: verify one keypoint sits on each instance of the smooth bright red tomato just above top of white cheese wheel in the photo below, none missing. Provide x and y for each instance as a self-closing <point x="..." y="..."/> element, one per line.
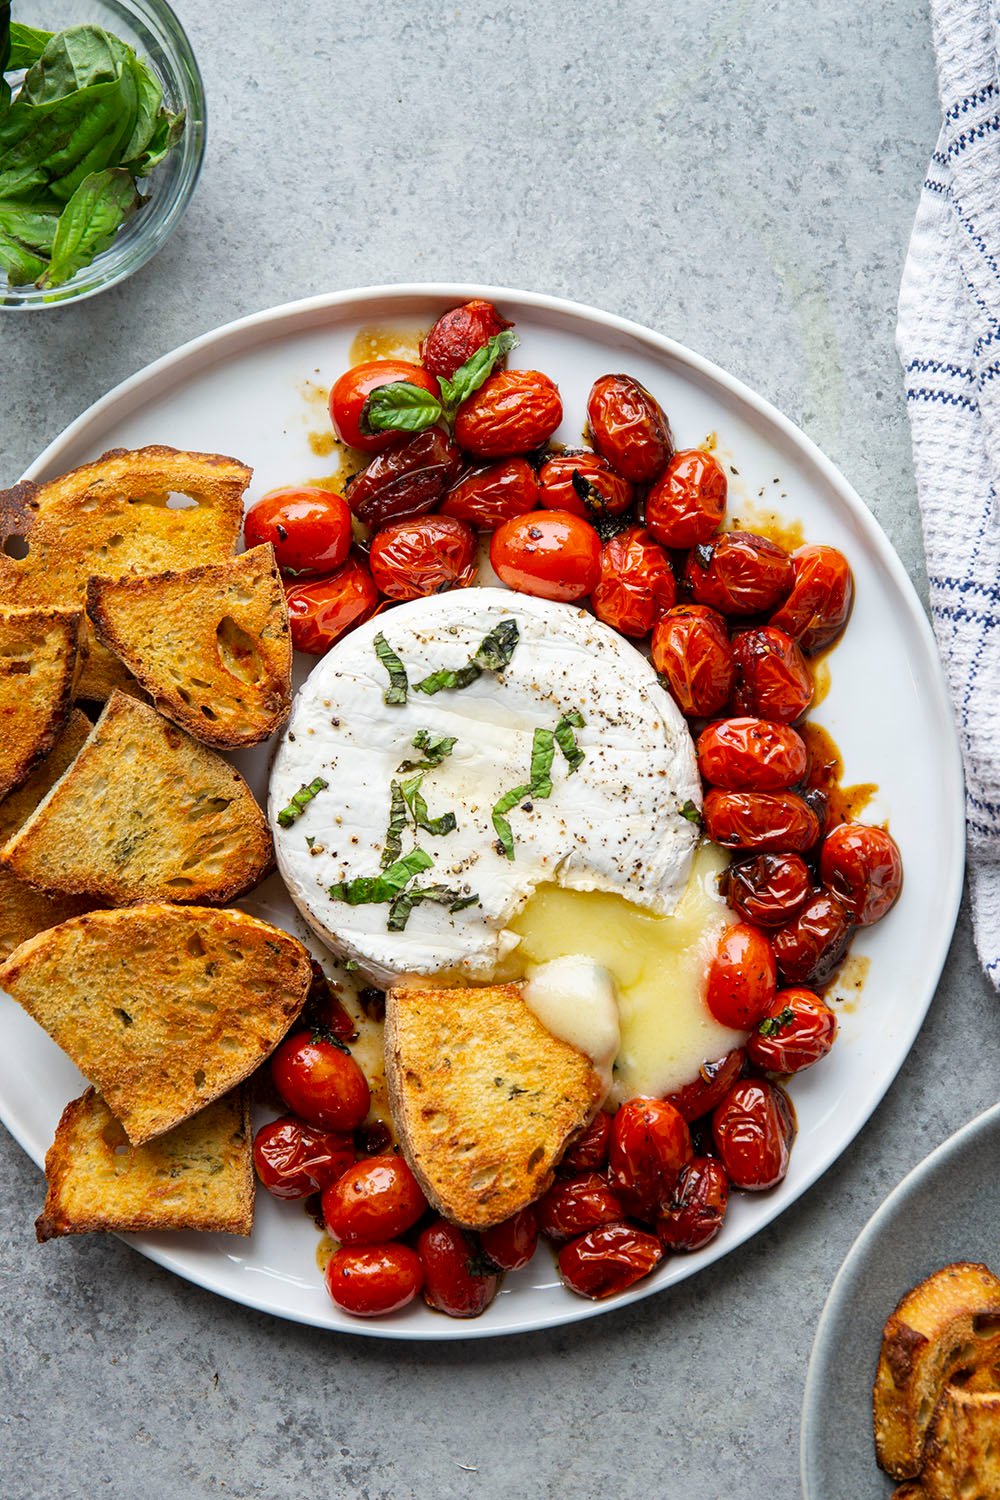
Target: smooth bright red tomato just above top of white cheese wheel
<point x="549" y="553"/>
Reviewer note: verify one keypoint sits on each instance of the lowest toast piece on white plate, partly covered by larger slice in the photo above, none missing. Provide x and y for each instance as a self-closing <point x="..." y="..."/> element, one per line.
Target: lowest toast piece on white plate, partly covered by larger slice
<point x="196" y="1177"/>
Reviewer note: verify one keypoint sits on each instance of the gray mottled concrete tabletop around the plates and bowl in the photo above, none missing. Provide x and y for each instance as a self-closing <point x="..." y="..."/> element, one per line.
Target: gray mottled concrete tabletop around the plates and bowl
<point x="741" y="176"/>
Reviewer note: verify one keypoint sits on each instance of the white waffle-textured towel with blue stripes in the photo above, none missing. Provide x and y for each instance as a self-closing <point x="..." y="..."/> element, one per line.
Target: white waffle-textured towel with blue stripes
<point x="950" y="344"/>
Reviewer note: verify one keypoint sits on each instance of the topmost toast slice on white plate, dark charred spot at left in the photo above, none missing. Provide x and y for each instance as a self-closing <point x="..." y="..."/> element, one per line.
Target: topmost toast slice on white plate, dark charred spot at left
<point x="113" y="518"/>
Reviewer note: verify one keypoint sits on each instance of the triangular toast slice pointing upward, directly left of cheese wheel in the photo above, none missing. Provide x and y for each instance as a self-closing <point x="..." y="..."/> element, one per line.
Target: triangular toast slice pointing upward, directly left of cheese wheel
<point x="145" y="814"/>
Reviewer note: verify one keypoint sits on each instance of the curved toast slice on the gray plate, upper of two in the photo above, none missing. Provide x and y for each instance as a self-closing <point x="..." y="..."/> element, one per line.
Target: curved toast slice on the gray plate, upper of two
<point x="947" y="1325"/>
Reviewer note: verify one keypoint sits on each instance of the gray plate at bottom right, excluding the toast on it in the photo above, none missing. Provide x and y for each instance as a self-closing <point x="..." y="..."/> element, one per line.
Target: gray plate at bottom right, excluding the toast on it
<point x="947" y="1210"/>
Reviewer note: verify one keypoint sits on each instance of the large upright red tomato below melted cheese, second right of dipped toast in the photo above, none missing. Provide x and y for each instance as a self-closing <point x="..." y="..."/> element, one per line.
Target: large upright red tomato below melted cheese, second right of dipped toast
<point x="650" y="1145"/>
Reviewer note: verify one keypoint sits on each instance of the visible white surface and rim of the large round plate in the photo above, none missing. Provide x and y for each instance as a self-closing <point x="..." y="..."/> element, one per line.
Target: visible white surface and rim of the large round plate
<point x="254" y="389"/>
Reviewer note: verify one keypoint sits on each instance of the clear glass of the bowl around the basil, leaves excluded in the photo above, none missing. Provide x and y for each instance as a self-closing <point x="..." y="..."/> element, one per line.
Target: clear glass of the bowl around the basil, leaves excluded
<point x="152" y="29"/>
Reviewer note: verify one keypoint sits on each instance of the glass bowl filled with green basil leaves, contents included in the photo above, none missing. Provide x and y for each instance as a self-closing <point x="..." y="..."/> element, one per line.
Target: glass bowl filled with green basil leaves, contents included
<point x="103" y="133"/>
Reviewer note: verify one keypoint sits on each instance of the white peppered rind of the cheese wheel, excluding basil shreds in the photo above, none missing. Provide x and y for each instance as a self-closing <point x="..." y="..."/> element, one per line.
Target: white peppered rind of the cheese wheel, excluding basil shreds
<point x="612" y="826"/>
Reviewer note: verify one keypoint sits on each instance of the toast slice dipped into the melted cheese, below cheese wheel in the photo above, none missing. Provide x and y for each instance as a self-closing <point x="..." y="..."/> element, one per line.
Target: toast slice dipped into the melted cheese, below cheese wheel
<point x="485" y="1100"/>
